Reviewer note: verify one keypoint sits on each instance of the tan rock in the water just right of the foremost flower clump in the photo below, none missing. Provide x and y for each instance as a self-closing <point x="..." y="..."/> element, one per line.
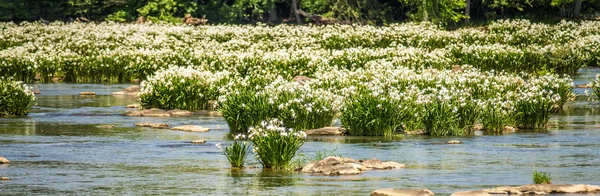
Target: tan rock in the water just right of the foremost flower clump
<point x="333" y="166"/>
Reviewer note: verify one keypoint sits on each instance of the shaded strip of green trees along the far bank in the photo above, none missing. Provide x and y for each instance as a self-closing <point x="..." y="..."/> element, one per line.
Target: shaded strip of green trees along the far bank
<point x="437" y="11"/>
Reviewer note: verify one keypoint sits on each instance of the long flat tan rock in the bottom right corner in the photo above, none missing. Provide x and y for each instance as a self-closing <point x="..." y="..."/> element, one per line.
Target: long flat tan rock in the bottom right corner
<point x="546" y="189"/>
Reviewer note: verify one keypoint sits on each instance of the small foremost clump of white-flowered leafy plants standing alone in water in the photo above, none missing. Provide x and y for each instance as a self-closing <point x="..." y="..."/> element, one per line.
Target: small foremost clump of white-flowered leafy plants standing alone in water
<point x="275" y="145"/>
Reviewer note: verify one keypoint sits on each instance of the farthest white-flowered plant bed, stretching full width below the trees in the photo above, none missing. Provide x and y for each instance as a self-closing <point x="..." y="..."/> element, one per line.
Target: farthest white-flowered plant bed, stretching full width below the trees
<point x="114" y="52"/>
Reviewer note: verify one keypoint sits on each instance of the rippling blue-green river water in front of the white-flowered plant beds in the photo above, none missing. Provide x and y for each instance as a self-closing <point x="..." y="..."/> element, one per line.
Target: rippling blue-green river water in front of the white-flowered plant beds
<point x="58" y="149"/>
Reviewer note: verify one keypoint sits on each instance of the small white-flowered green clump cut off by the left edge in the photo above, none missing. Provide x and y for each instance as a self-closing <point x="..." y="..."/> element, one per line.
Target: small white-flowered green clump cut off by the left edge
<point x="15" y="97"/>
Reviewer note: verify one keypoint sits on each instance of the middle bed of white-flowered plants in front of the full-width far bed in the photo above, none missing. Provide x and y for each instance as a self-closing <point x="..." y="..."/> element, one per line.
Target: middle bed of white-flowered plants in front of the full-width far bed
<point x="378" y="99"/>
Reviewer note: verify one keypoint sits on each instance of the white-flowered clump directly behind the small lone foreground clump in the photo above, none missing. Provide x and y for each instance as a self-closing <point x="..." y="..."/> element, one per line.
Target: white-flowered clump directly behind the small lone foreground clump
<point x="298" y="106"/>
